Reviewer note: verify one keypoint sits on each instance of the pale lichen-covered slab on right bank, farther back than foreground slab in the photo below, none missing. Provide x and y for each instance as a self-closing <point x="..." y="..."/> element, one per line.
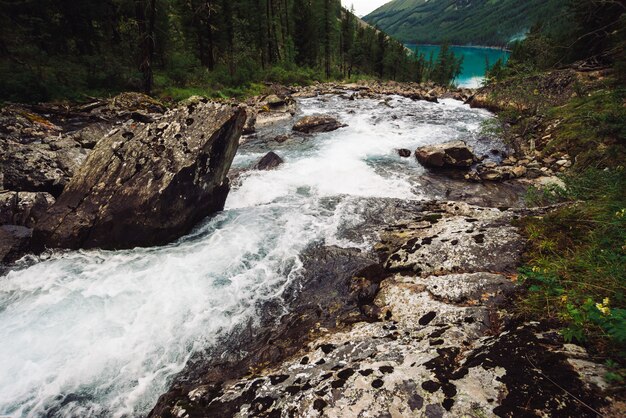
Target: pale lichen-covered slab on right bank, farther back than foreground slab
<point x="451" y="238"/>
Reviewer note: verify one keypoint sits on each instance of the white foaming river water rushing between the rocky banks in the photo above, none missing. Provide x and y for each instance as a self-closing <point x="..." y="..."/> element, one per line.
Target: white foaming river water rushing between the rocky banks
<point x="102" y="333"/>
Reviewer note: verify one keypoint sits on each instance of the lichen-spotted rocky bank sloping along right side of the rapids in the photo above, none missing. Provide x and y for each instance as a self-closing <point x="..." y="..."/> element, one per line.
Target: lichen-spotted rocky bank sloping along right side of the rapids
<point x="422" y="331"/>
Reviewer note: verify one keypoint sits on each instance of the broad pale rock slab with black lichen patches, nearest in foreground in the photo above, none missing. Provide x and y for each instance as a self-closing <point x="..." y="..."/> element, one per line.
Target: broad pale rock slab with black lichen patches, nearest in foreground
<point x="387" y="369"/>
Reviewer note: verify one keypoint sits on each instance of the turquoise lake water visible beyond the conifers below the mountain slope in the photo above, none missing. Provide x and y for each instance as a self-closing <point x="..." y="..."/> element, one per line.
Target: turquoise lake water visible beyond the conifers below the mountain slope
<point x="474" y="61"/>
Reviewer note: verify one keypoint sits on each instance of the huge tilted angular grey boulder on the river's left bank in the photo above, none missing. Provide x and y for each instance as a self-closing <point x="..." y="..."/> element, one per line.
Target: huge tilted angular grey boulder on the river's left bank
<point x="147" y="184"/>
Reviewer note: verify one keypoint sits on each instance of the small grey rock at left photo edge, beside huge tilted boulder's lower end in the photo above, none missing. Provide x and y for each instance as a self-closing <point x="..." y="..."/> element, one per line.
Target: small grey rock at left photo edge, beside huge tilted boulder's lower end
<point x="23" y="208"/>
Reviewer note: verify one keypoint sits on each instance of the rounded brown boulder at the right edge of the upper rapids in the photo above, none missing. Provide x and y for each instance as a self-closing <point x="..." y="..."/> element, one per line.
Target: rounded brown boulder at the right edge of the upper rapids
<point x="454" y="154"/>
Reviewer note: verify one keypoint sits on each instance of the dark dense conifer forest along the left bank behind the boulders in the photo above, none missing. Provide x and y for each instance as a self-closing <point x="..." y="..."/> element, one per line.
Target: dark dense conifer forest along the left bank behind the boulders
<point x="63" y="49"/>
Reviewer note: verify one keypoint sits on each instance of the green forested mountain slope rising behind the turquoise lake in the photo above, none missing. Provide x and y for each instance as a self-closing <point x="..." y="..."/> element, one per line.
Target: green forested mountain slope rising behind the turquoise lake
<point x="478" y="22"/>
